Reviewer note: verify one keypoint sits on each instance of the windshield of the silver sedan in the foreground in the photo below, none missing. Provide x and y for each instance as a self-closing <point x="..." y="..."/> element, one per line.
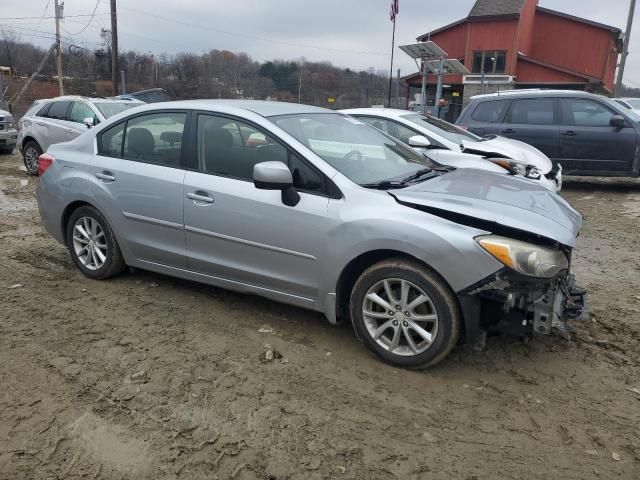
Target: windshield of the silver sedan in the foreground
<point x="360" y="152"/>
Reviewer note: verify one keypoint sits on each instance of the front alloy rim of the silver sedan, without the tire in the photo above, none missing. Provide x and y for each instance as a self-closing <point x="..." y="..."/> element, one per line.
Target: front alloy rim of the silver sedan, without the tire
<point x="400" y="317"/>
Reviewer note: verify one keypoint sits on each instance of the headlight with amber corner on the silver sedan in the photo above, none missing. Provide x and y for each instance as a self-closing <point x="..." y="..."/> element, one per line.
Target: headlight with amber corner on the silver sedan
<point x="526" y="258"/>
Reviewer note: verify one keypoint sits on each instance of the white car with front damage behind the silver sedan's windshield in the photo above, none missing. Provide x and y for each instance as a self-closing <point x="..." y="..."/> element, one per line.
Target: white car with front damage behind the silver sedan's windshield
<point x="450" y="145"/>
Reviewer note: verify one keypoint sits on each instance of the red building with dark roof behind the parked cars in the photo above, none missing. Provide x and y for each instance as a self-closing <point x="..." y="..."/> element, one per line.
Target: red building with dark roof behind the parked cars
<point x="519" y="44"/>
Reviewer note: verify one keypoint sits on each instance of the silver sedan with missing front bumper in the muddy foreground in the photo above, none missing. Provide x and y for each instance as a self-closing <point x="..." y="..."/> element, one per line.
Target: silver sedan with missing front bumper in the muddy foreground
<point x="313" y="208"/>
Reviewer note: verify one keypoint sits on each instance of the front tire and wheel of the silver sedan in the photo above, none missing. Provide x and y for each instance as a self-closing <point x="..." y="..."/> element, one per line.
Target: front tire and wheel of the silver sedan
<point x="437" y="318"/>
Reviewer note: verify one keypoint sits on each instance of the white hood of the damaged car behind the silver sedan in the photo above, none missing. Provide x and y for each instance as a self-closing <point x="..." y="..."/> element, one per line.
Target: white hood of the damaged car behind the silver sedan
<point x="515" y="150"/>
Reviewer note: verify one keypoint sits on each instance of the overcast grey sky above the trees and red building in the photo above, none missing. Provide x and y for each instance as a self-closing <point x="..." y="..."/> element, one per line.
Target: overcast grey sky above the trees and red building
<point x="344" y="32"/>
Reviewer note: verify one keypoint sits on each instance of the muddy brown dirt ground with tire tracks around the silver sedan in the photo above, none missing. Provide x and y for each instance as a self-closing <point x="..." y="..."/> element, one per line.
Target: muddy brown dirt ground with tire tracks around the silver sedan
<point x="148" y="377"/>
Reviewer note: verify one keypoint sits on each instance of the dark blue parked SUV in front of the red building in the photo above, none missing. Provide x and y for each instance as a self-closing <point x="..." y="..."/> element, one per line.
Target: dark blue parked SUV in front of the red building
<point x="587" y="134"/>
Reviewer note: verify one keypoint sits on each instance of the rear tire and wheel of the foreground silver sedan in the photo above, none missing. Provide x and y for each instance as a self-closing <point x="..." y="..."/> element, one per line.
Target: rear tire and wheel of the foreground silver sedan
<point x="99" y="239"/>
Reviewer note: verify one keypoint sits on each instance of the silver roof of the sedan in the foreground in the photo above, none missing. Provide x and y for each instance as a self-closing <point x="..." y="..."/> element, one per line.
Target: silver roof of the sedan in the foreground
<point x="263" y="108"/>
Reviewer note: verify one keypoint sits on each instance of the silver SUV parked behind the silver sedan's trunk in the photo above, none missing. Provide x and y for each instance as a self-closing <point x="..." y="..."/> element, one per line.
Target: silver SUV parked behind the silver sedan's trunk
<point x="62" y="119"/>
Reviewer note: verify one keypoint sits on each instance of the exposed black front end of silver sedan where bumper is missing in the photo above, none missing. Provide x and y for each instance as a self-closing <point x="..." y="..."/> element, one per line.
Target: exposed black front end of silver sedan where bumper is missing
<point x="515" y="304"/>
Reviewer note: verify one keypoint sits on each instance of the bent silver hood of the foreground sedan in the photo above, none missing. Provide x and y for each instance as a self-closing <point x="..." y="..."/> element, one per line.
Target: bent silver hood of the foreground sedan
<point x="497" y="199"/>
